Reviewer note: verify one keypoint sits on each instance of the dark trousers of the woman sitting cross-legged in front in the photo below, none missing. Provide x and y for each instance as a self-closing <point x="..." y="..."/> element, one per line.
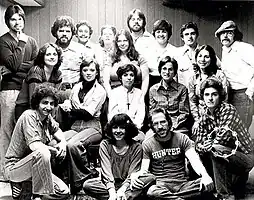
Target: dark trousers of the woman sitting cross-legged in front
<point x="95" y="188"/>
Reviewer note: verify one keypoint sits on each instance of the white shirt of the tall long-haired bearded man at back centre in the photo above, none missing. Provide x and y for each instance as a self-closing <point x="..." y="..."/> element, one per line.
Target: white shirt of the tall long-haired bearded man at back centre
<point x="145" y="45"/>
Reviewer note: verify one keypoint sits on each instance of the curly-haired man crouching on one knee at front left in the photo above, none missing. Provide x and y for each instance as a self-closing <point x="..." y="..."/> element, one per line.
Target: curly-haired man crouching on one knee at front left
<point x="35" y="142"/>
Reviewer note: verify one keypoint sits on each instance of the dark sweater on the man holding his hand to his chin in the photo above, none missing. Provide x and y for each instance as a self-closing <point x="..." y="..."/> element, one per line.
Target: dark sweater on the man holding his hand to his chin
<point x="18" y="57"/>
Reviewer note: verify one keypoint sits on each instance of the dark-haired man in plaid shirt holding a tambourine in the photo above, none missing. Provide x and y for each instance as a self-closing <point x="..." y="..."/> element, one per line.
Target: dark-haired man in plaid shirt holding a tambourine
<point x="223" y="140"/>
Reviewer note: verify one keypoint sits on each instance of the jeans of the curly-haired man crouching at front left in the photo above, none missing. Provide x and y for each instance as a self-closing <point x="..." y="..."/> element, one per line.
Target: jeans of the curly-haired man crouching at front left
<point x="37" y="168"/>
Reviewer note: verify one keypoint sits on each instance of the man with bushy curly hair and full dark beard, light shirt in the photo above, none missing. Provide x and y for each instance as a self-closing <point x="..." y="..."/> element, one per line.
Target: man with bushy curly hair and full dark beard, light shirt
<point x="74" y="53"/>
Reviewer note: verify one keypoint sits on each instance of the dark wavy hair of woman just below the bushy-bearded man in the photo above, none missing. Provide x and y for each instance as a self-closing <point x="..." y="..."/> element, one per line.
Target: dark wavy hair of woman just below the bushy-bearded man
<point x="39" y="61"/>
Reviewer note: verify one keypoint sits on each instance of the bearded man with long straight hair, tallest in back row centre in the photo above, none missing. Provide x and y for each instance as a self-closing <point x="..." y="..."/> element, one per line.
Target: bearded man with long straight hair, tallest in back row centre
<point x="144" y="41"/>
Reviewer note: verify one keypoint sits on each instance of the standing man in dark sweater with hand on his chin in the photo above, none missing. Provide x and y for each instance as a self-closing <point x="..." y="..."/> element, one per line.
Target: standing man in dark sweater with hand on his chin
<point x="17" y="54"/>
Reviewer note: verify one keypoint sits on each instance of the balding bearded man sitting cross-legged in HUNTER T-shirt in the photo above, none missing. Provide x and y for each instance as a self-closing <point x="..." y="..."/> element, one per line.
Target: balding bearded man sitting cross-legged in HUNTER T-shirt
<point x="164" y="155"/>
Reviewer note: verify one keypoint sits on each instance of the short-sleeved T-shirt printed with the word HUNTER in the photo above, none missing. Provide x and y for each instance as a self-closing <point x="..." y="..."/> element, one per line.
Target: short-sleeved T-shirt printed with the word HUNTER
<point x="167" y="160"/>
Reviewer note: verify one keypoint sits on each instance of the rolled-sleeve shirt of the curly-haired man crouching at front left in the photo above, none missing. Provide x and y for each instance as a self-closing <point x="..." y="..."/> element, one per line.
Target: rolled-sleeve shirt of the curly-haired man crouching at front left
<point x="29" y="129"/>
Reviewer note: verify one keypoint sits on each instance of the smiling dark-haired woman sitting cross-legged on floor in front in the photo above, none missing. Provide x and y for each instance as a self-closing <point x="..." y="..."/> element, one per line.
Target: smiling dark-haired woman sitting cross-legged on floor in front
<point x="120" y="156"/>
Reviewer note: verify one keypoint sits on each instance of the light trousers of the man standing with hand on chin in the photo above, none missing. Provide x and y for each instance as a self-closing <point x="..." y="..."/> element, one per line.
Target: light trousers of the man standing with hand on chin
<point x="7" y="103"/>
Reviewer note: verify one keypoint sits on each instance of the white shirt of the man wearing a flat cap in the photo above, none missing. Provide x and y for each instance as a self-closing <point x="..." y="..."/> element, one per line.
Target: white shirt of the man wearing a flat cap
<point x="238" y="64"/>
